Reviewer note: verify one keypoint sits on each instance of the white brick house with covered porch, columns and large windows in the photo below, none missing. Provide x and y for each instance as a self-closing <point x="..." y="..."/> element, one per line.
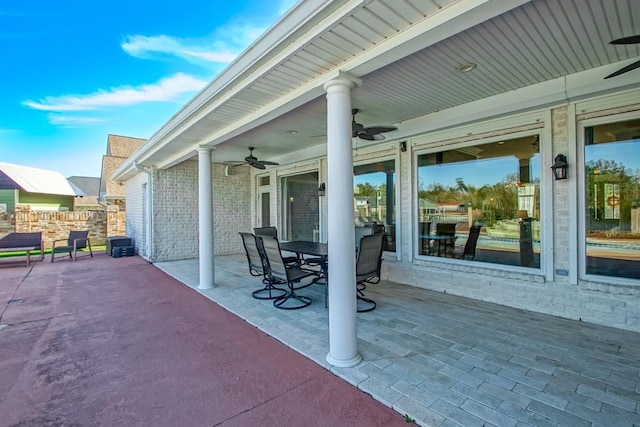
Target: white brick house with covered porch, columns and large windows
<point x="493" y="92"/>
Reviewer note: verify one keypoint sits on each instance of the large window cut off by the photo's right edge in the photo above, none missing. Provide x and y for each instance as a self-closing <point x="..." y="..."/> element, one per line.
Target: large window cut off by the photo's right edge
<point x="612" y="199"/>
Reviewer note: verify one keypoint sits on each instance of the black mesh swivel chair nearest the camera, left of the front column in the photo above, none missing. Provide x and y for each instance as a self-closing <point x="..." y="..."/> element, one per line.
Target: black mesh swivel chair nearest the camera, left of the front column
<point x="278" y="271"/>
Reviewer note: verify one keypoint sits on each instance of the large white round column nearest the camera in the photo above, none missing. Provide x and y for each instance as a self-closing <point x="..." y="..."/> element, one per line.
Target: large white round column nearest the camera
<point x="343" y="349"/>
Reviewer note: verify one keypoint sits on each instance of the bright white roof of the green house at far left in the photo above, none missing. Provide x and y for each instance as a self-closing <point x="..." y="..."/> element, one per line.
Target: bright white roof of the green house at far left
<point x="34" y="180"/>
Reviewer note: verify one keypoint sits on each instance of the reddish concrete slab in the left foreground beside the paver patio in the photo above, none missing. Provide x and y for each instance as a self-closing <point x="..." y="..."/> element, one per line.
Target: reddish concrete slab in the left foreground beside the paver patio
<point x="108" y="341"/>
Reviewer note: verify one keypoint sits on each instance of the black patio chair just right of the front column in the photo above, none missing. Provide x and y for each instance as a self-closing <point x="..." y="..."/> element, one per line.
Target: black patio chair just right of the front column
<point x="368" y="266"/>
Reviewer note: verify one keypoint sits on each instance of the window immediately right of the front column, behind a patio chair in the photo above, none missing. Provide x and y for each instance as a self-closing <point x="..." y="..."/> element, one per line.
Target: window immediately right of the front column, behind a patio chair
<point x="374" y="198"/>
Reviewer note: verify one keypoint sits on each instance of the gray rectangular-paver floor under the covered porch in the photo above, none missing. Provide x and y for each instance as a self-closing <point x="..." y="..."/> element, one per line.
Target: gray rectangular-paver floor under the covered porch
<point x="446" y="360"/>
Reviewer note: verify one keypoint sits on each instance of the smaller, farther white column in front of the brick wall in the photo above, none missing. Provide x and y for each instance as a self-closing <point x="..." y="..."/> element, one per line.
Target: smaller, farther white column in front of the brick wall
<point x="205" y="218"/>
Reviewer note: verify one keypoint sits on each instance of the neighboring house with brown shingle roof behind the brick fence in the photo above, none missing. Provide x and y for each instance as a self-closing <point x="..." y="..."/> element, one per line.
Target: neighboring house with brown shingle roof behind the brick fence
<point x="119" y="148"/>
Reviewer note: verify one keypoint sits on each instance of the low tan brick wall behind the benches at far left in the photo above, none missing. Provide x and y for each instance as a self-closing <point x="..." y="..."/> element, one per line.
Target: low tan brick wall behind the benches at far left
<point x="56" y="225"/>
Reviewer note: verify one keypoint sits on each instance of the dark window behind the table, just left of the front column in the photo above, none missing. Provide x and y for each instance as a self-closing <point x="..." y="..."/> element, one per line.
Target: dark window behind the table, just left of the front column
<point x="300" y="206"/>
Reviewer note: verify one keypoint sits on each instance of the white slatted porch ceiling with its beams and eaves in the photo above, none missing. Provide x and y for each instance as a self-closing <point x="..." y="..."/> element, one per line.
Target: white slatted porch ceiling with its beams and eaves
<point x="538" y="41"/>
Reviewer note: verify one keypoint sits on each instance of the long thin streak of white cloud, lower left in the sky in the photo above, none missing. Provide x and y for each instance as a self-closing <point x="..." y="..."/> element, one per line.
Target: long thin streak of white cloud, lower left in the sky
<point x="167" y="89"/>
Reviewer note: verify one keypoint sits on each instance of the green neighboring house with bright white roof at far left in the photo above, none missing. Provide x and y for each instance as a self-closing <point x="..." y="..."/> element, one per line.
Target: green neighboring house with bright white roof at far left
<point x="38" y="188"/>
